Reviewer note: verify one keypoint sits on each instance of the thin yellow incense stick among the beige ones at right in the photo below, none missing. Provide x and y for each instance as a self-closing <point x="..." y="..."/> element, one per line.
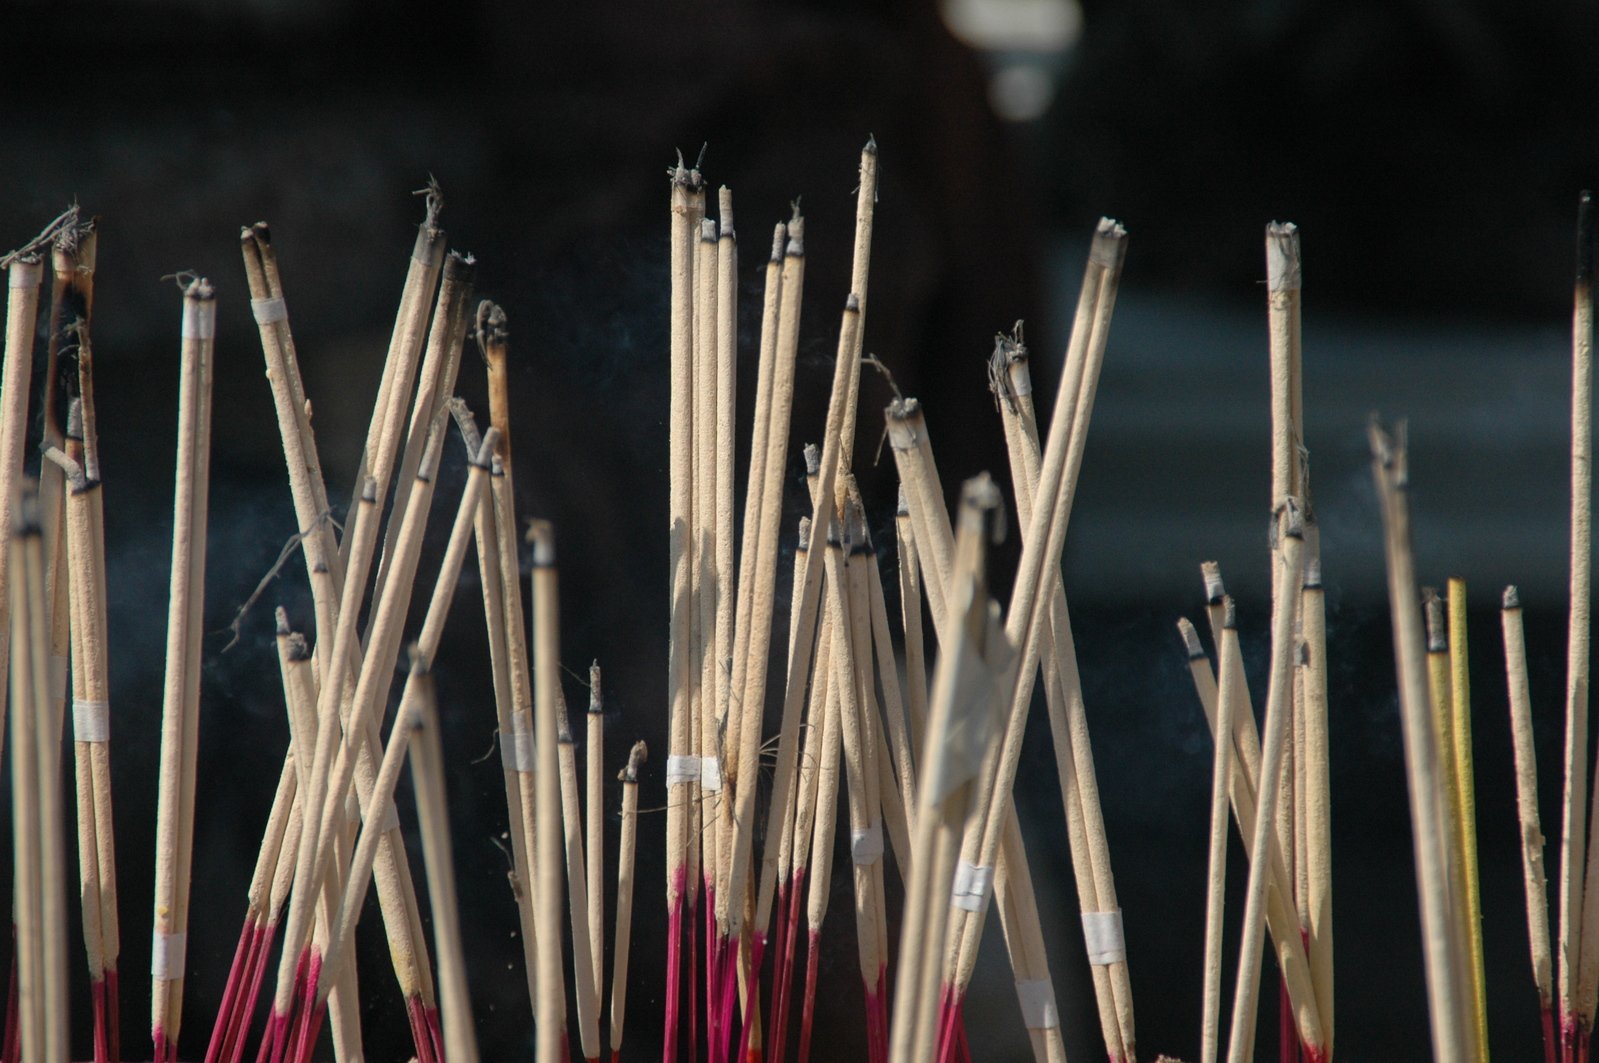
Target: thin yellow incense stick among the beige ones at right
<point x="1467" y="806"/>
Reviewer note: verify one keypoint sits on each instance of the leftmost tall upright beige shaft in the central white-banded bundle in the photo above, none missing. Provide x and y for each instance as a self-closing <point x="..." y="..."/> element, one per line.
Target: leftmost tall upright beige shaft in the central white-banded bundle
<point x="680" y="522"/>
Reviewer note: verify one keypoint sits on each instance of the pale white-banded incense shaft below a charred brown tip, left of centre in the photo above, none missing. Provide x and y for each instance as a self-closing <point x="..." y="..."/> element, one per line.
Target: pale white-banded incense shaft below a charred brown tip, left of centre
<point x="516" y="735"/>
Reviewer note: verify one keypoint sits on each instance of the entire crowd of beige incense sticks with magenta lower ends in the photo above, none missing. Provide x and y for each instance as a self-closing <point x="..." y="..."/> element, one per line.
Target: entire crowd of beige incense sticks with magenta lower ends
<point x="917" y="752"/>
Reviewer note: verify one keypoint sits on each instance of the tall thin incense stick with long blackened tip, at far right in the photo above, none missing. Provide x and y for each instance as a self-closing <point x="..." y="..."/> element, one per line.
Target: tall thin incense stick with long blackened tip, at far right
<point x="1574" y="827"/>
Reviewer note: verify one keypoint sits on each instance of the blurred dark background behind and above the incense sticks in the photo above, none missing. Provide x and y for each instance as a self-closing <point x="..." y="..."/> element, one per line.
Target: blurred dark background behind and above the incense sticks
<point x="1430" y="153"/>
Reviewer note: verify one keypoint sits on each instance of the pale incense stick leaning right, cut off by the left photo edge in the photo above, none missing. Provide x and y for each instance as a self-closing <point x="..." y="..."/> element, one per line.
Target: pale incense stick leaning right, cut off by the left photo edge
<point x="22" y="316"/>
